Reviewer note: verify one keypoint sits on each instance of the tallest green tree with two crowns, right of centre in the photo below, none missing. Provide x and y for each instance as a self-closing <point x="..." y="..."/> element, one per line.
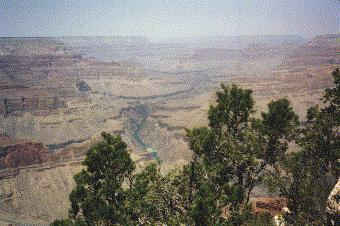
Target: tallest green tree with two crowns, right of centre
<point x="230" y="155"/>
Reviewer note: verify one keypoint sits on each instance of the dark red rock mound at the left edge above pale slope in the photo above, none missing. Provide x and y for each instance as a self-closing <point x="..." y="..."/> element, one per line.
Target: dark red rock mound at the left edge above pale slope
<point x="24" y="154"/>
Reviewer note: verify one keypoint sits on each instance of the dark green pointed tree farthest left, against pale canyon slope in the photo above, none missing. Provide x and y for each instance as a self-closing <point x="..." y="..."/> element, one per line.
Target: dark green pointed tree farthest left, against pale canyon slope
<point x="100" y="197"/>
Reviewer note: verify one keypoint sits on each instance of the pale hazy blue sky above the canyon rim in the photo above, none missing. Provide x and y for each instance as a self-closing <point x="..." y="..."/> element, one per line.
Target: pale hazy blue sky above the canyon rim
<point x="168" y="18"/>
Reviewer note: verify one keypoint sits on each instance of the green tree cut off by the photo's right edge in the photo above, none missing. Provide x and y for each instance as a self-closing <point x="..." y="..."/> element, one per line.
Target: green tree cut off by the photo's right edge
<point x="308" y="176"/>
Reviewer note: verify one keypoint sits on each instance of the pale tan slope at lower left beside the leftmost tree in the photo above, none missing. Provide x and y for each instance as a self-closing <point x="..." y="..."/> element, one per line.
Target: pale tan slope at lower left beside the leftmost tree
<point x="37" y="193"/>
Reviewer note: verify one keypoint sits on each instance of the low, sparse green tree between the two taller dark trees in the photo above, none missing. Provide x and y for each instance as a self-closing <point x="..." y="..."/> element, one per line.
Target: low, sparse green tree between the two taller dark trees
<point x="154" y="198"/>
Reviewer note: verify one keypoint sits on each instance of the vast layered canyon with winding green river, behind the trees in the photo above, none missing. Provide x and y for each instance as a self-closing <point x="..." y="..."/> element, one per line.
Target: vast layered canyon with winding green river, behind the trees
<point x="58" y="94"/>
